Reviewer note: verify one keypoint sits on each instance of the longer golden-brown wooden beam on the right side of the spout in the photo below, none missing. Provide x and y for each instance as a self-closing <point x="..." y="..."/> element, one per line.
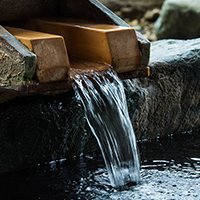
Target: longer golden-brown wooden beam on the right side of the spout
<point x="114" y="45"/>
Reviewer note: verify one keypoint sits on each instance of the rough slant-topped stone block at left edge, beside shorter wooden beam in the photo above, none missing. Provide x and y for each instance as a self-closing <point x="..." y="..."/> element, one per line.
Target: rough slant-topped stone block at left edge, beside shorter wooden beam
<point x="17" y="62"/>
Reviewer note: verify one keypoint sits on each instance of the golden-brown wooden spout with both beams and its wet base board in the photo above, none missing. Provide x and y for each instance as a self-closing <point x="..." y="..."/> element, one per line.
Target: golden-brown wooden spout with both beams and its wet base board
<point x="61" y="44"/>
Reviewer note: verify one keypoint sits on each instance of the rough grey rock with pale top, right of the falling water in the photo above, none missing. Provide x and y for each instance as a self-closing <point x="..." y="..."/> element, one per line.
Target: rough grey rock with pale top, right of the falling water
<point x="167" y="102"/>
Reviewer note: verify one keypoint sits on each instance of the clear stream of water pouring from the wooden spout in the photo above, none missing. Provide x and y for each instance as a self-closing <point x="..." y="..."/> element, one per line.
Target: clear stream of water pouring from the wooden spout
<point x="106" y="112"/>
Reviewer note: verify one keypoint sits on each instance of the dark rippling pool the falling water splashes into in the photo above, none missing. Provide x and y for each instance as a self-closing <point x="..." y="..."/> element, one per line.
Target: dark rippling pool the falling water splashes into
<point x="170" y="170"/>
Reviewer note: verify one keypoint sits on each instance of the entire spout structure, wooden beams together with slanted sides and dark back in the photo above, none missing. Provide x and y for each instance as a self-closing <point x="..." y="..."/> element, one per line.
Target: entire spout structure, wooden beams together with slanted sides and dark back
<point x="65" y="38"/>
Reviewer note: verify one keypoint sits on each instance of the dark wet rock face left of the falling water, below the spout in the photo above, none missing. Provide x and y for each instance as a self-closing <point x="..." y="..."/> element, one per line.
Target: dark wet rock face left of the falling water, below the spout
<point x="39" y="128"/>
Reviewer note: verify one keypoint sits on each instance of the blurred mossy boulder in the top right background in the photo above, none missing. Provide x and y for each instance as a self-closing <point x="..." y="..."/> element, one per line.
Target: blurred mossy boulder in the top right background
<point x="179" y="19"/>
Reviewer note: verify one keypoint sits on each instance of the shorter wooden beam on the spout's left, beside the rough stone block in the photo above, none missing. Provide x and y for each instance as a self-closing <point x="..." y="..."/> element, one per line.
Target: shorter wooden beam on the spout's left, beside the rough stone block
<point x="52" y="59"/>
